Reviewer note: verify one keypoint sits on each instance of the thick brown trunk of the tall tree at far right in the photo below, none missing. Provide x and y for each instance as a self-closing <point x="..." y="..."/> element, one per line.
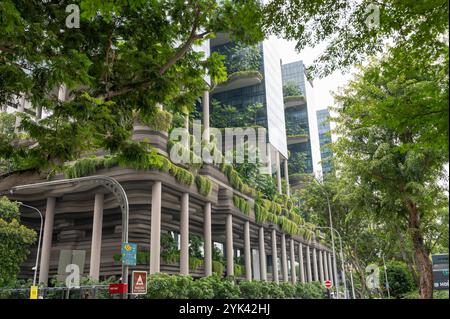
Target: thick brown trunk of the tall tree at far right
<point x="421" y="253"/>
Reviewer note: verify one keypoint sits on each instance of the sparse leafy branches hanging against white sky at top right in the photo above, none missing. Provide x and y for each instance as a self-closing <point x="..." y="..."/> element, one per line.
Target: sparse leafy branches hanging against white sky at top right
<point x="351" y="29"/>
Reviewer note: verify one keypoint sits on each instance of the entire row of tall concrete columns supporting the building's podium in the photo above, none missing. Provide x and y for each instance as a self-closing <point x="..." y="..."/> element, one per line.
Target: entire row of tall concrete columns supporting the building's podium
<point x="319" y="268"/>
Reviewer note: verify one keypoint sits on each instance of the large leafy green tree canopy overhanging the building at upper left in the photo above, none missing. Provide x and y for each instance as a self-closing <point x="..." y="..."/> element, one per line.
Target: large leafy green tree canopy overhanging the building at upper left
<point x="111" y="65"/>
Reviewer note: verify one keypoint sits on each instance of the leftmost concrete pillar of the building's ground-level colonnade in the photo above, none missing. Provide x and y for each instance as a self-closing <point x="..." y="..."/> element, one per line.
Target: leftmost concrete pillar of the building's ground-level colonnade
<point x="47" y="240"/>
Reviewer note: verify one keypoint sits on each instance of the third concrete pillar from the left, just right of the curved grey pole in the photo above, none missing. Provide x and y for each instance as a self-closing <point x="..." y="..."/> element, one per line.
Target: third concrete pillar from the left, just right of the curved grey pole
<point x="155" y="236"/>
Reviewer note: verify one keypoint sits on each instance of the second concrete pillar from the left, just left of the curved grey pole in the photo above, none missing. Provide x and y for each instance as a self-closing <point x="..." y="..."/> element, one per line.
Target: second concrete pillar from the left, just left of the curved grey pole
<point x="96" y="243"/>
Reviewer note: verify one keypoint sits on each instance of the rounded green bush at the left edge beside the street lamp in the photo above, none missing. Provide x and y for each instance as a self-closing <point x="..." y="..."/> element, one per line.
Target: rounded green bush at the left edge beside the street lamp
<point x="15" y="241"/>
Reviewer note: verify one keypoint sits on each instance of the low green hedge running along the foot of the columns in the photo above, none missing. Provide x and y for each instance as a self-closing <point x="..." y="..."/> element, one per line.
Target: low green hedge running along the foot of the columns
<point x="165" y="286"/>
